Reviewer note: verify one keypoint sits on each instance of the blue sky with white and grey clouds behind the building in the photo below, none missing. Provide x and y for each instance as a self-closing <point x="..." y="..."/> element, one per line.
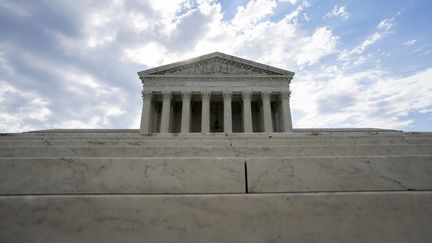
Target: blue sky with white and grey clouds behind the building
<point x="74" y="64"/>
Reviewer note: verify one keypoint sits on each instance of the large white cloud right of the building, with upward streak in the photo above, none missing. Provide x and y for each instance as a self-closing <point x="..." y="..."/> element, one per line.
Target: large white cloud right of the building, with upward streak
<point x="345" y="96"/>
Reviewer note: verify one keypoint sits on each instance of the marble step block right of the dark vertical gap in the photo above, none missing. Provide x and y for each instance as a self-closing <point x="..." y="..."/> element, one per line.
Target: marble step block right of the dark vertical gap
<point x="363" y="173"/>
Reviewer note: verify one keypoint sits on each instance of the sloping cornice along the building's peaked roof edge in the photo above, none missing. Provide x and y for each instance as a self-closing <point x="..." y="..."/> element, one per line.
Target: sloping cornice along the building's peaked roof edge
<point x="216" y="54"/>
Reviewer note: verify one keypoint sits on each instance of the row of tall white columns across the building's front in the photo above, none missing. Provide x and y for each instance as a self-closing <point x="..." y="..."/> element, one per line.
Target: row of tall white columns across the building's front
<point x="205" y="112"/>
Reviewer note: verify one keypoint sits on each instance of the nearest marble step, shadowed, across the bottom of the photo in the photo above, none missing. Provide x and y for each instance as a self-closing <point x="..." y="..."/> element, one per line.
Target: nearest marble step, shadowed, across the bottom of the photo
<point x="396" y="217"/>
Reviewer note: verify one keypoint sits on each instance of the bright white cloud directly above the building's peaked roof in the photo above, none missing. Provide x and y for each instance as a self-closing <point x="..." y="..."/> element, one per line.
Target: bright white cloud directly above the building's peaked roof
<point x="248" y="34"/>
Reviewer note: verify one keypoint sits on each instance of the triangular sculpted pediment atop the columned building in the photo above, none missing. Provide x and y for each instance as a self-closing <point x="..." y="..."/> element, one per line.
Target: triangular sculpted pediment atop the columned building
<point x="215" y="64"/>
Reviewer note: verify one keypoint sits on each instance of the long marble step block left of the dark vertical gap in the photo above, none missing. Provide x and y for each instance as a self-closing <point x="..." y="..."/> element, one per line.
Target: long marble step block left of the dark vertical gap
<point x="121" y="175"/>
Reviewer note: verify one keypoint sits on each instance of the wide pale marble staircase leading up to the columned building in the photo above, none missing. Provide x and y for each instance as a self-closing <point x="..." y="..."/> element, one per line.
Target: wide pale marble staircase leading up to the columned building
<point x="322" y="185"/>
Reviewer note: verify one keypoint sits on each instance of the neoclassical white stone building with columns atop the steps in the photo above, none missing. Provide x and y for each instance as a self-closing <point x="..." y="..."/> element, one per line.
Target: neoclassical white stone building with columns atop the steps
<point x="216" y="93"/>
